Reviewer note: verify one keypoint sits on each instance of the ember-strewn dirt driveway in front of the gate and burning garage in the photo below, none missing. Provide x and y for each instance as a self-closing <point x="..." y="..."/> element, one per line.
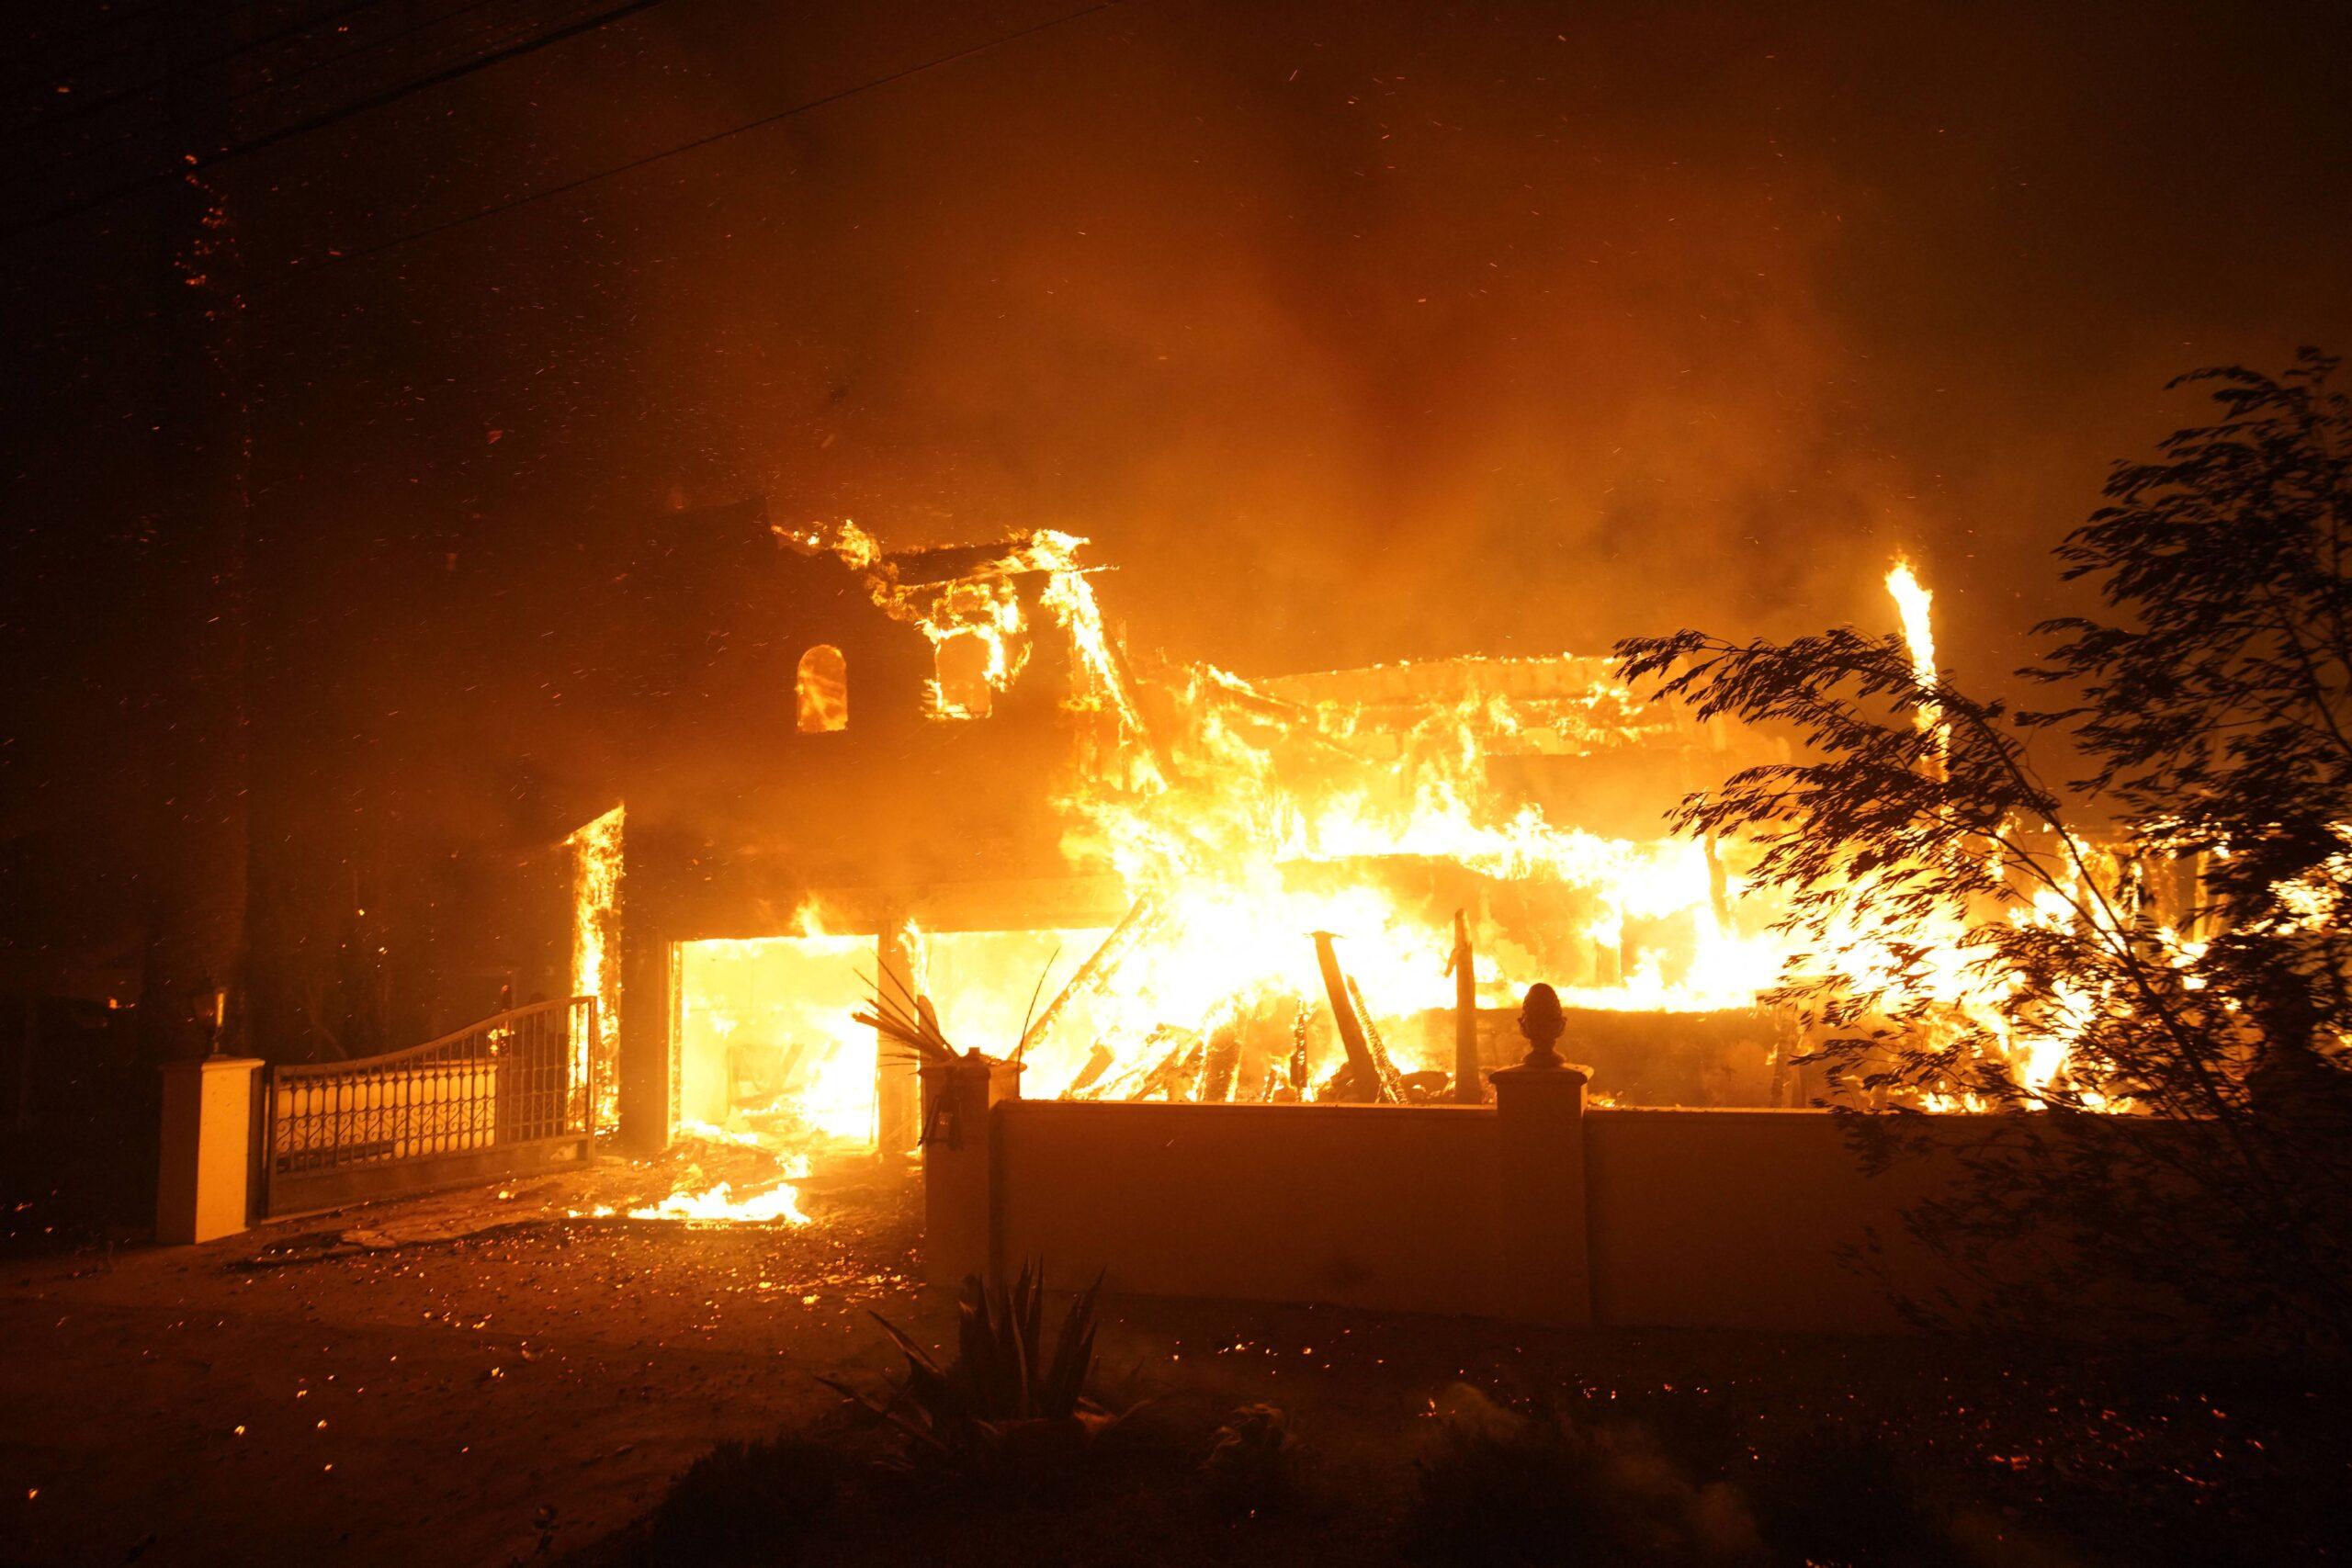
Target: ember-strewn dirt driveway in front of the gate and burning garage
<point x="432" y="1398"/>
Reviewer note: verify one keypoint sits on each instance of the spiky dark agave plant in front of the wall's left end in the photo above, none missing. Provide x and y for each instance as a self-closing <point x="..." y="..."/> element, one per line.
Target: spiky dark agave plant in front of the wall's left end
<point x="1001" y="1398"/>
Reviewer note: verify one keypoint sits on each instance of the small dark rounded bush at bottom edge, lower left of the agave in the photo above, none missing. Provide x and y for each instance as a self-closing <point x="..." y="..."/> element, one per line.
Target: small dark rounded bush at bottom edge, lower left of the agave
<point x="749" y="1503"/>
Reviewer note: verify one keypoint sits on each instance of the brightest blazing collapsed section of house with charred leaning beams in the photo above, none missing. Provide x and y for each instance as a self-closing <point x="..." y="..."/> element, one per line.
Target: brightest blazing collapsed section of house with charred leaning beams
<point x="1309" y="859"/>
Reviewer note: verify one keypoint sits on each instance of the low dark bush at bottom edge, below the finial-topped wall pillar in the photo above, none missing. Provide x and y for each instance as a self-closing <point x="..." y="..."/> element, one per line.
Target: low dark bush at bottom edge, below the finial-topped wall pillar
<point x="1511" y="1487"/>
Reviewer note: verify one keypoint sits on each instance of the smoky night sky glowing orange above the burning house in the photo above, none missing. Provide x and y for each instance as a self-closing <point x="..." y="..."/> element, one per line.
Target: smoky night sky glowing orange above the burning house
<point x="1347" y="333"/>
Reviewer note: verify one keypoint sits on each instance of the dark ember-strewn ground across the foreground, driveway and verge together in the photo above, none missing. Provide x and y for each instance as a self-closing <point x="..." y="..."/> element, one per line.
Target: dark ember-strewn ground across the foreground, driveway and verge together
<point x="488" y="1379"/>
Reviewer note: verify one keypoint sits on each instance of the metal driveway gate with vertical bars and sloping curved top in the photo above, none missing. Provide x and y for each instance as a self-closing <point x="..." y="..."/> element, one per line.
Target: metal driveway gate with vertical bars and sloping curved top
<point x="507" y="1094"/>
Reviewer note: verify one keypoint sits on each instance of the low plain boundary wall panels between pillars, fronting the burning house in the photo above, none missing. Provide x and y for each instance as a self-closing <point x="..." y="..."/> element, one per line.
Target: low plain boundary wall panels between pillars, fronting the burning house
<point x="1699" y="1219"/>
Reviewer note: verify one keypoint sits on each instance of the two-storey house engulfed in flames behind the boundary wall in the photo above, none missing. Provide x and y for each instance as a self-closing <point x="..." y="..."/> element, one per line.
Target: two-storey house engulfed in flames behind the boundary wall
<point x="1147" y="878"/>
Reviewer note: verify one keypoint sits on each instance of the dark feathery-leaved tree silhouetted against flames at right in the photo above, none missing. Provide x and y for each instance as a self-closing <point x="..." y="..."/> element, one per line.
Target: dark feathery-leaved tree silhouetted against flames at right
<point x="2160" y="937"/>
